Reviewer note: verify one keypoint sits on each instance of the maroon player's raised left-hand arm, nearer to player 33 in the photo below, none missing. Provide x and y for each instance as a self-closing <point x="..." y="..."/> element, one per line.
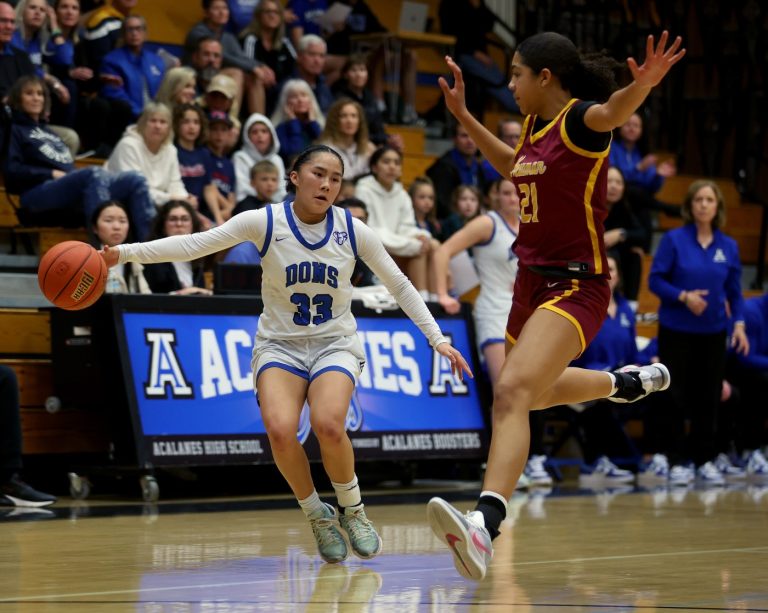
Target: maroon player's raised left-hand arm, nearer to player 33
<point x="496" y="151"/>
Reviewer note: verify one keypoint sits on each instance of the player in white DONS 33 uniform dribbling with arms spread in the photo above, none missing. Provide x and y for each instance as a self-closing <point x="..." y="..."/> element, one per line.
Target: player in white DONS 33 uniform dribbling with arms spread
<point x="306" y="346"/>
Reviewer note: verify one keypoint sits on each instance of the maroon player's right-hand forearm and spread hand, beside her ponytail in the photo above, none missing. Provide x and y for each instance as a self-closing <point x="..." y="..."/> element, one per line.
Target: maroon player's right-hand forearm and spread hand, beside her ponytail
<point x="622" y="103"/>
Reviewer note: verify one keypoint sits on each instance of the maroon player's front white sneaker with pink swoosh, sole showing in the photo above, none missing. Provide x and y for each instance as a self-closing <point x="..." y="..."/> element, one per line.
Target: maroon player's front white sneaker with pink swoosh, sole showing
<point x="465" y="535"/>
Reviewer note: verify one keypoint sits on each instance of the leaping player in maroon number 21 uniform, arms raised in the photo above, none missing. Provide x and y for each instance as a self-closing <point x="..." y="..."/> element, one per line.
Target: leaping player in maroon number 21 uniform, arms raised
<point x="561" y="293"/>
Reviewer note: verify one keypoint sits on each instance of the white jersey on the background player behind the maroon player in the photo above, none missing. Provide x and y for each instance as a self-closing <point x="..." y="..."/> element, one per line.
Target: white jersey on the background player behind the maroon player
<point x="496" y="266"/>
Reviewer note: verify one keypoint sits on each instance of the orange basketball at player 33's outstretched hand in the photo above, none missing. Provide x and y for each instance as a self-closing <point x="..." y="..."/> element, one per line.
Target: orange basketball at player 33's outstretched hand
<point x="72" y="275"/>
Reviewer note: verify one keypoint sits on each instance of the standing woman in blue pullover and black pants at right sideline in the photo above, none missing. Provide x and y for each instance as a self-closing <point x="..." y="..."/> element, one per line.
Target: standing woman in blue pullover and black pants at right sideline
<point x="695" y="271"/>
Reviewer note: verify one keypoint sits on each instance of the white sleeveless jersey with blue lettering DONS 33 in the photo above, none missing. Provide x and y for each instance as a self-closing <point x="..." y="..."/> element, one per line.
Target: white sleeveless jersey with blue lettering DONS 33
<point x="306" y="286"/>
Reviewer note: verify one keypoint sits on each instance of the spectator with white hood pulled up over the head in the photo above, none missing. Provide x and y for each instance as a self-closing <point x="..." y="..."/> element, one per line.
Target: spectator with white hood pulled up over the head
<point x="260" y="142"/>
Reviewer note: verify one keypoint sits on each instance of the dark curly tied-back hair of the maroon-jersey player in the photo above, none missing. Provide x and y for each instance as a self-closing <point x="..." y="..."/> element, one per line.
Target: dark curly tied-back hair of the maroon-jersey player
<point x="588" y="77"/>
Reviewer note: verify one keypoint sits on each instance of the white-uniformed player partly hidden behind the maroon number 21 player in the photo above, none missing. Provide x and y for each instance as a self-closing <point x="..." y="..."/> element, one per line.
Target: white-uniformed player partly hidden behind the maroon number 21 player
<point x="491" y="237"/>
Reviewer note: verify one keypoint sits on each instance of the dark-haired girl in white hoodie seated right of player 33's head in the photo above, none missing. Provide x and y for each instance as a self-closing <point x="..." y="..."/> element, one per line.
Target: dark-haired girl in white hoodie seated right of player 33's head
<point x="390" y="214"/>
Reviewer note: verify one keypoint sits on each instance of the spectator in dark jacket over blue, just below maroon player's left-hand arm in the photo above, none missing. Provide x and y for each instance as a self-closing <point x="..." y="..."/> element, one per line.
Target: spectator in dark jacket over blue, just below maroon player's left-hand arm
<point x="459" y="166"/>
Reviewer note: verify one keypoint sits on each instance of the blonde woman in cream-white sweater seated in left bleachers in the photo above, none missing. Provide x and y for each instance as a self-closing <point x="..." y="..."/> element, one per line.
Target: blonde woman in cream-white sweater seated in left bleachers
<point x="147" y="147"/>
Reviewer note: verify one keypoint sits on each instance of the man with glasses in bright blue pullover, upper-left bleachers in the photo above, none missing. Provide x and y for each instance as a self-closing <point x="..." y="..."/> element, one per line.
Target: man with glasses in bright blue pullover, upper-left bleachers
<point x="131" y="73"/>
